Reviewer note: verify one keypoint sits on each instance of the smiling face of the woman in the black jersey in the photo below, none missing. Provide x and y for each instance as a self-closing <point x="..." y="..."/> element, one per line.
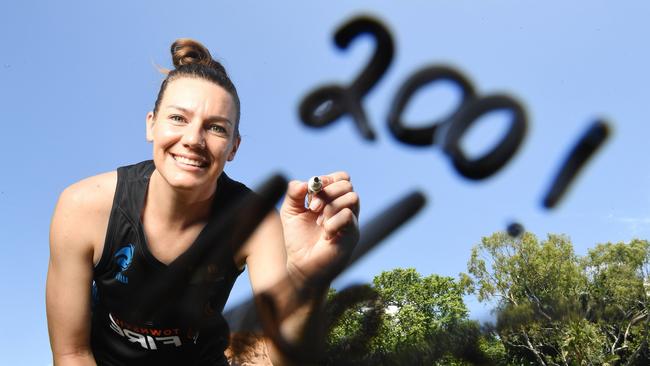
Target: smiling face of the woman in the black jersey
<point x="193" y="133"/>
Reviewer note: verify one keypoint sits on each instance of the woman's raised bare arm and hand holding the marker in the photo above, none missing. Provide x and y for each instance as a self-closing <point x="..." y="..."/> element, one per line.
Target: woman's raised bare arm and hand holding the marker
<point x="301" y="249"/>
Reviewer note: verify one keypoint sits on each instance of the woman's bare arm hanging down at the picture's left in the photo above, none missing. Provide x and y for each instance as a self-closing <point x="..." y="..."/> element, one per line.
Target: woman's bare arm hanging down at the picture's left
<point x="76" y="227"/>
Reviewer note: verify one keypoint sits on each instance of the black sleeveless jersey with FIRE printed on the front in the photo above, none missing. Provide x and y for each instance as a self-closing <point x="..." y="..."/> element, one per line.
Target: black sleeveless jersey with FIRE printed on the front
<point x="120" y="333"/>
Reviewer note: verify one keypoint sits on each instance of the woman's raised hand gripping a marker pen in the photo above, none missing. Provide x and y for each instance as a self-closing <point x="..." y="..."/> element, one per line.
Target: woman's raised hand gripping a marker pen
<point x="320" y="239"/>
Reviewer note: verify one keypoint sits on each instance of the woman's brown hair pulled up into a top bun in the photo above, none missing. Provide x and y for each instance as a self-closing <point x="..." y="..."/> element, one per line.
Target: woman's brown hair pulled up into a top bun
<point x="192" y="59"/>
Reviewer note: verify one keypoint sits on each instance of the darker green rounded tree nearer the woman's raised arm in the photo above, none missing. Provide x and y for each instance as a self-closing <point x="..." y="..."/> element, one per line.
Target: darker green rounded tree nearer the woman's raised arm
<point x="411" y="319"/>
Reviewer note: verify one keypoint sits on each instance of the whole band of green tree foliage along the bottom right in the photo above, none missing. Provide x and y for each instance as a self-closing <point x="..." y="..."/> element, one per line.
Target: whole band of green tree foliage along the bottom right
<point x="553" y="307"/>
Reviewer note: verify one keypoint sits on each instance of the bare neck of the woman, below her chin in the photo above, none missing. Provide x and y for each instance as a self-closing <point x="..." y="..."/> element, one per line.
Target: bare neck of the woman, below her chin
<point x="176" y="209"/>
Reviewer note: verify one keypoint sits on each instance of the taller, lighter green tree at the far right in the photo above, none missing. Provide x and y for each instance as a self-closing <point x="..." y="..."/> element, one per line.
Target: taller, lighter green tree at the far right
<point x="555" y="308"/>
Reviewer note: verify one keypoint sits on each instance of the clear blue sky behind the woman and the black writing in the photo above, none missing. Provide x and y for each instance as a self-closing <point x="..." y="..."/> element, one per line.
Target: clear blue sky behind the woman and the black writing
<point x="77" y="78"/>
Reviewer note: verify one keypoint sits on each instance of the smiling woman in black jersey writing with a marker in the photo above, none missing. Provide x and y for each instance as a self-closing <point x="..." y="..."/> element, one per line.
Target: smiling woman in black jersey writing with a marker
<point x="114" y="234"/>
